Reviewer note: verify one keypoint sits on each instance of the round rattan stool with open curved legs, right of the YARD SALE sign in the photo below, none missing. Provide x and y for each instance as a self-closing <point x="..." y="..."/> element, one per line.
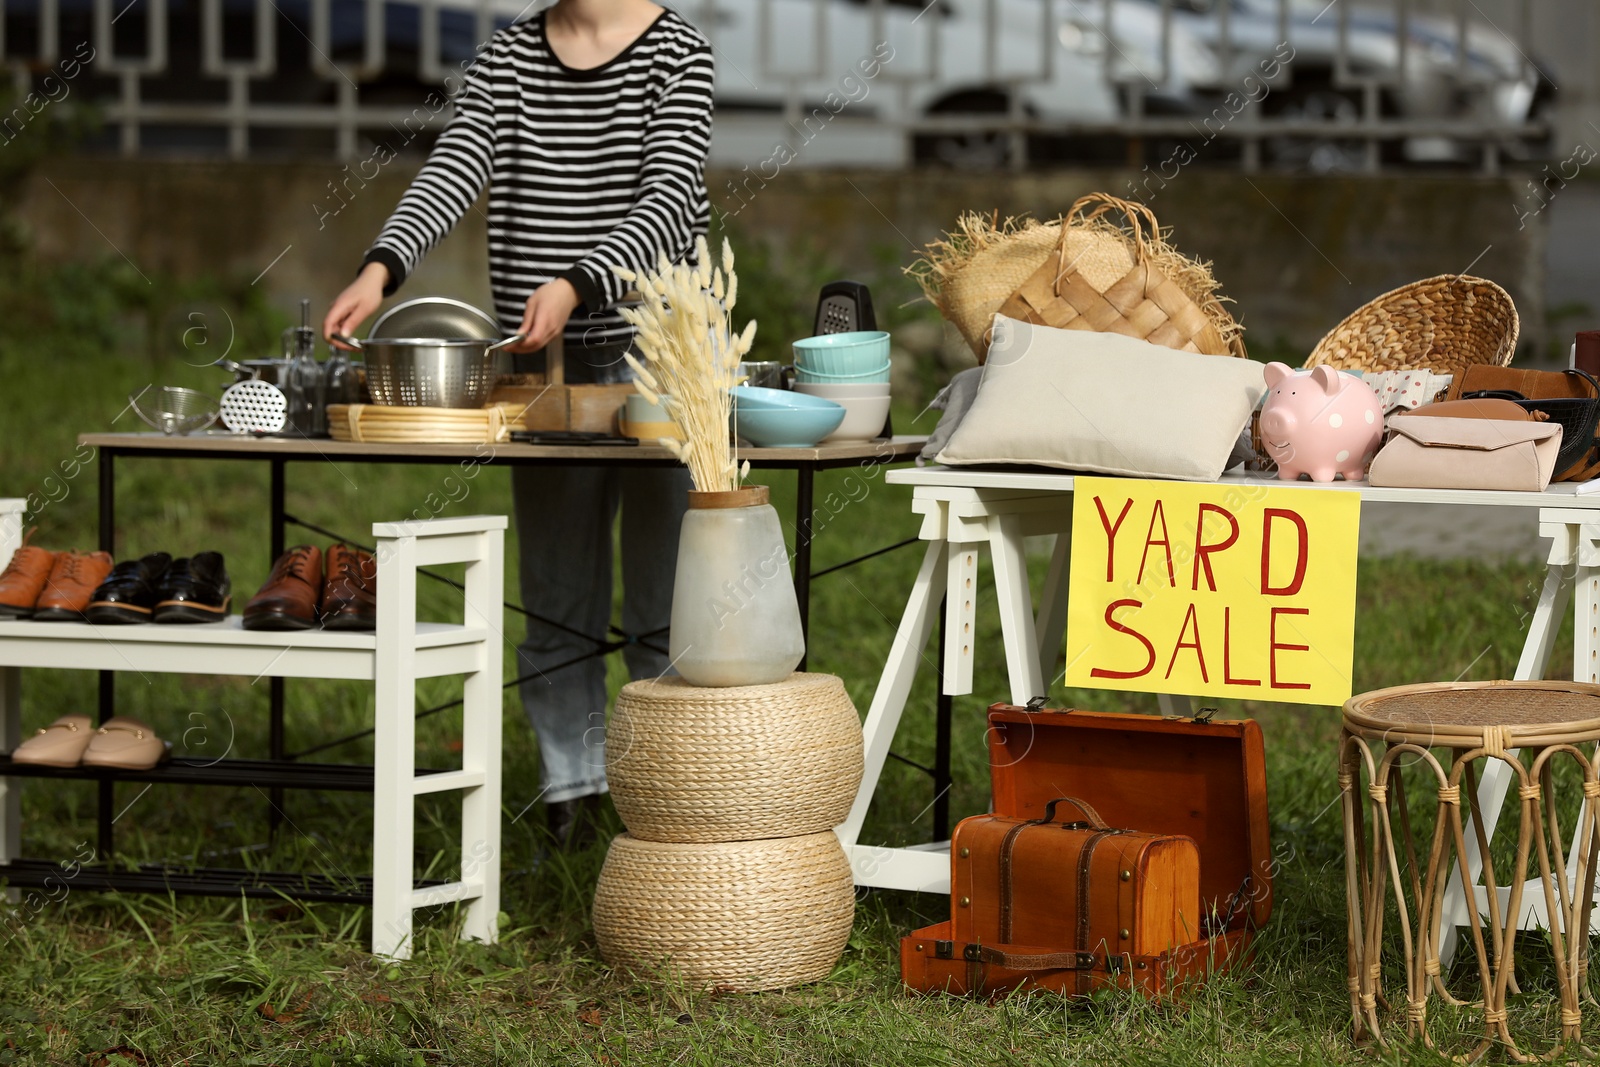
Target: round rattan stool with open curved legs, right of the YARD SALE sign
<point x="1390" y="730"/>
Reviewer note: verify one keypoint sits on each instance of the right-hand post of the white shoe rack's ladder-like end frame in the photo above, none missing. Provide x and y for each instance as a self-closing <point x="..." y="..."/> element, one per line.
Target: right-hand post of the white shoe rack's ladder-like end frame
<point x="481" y="745"/>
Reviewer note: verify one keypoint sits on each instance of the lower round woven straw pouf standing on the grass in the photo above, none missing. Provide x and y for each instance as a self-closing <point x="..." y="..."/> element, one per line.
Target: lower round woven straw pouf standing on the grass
<point x="742" y="917"/>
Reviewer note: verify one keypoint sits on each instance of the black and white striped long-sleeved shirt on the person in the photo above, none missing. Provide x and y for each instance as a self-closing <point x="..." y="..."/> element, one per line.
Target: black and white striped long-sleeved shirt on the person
<point x="588" y="170"/>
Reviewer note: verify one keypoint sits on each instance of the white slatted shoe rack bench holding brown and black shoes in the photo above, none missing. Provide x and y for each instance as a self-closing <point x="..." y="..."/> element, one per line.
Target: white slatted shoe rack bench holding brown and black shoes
<point x="401" y="652"/>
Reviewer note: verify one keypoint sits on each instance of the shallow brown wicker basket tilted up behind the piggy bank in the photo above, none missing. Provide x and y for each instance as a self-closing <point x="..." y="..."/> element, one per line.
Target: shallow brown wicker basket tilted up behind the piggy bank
<point x="1442" y="326"/>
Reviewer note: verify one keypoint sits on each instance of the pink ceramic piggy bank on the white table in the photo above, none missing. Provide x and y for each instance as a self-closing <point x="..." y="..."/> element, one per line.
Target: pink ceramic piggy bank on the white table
<point x="1321" y="423"/>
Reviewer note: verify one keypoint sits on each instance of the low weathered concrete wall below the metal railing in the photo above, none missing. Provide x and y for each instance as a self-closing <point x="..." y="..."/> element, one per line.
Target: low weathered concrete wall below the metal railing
<point x="1295" y="254"/>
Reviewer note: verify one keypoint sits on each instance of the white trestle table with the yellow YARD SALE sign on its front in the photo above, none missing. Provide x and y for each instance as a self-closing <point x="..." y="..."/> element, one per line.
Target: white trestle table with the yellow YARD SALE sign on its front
<point x="969" y="511"/>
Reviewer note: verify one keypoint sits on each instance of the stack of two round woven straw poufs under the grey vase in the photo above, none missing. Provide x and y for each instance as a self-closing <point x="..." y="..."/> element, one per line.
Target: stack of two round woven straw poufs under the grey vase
<point x="730" y="874"/>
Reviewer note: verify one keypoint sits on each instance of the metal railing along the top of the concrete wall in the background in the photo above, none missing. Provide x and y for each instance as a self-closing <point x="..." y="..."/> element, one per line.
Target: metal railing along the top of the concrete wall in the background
<point x="1303" y="84"/>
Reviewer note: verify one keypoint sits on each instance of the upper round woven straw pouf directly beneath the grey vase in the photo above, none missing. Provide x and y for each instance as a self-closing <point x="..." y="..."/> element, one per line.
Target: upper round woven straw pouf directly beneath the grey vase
<point x="735" y="764"/>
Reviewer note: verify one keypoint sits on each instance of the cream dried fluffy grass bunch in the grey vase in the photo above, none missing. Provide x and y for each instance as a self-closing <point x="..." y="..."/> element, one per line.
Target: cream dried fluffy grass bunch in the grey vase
<point x="692" y="359"/>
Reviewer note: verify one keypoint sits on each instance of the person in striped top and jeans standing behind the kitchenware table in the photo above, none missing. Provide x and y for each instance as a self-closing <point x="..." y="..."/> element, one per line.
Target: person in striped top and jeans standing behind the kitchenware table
<point x="590" y="126"/>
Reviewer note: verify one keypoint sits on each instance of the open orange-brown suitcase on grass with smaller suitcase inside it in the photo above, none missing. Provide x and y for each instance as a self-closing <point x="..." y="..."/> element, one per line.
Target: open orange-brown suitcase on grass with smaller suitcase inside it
<point x="1164" y="778"/>
